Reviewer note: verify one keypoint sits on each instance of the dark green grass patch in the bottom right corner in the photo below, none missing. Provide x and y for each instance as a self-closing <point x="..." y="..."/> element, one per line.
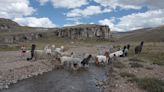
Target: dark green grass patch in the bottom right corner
<point x="149" y="84"/>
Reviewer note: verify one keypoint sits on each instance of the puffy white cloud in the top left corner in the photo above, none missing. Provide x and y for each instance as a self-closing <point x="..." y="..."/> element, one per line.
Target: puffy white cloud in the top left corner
<point x="15" y="8"/>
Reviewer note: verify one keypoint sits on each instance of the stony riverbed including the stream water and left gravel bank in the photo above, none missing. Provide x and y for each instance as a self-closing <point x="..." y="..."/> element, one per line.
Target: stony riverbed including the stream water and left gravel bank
<point x="33" y="78"/>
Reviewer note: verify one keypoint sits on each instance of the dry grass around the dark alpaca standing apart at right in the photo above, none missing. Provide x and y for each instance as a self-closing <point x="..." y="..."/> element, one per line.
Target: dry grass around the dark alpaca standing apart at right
<point x="153" y="52"/>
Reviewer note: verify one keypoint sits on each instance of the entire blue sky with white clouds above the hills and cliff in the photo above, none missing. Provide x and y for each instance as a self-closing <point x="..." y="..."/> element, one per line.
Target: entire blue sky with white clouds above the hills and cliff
<point x="119" y="15"/>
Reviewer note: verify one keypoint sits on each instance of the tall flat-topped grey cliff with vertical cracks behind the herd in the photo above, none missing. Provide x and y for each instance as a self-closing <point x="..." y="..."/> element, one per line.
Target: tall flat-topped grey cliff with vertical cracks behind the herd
<point x="85" y="32"/>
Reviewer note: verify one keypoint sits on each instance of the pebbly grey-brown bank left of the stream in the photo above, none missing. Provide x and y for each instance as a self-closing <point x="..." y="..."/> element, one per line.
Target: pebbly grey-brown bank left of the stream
<point x="13" y="71"/>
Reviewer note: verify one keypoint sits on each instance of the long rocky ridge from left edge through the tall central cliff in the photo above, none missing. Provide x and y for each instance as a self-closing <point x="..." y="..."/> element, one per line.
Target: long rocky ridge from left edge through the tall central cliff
<point x="80" y="32"/>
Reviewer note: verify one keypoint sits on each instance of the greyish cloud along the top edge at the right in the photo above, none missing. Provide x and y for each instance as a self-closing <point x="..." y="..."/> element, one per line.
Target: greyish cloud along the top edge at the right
<point x="133" y="4"/>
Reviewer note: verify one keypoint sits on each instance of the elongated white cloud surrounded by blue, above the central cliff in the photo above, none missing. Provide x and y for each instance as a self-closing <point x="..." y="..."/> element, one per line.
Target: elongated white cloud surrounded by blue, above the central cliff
<point x="88" y="11"/>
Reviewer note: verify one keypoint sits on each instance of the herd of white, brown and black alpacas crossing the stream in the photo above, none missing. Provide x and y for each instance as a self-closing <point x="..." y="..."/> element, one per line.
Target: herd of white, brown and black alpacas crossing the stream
<point x="69" y="59"/>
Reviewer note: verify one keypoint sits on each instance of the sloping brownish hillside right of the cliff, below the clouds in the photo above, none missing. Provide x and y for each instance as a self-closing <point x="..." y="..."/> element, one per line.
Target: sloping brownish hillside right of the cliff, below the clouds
<point x="148" y="34"/>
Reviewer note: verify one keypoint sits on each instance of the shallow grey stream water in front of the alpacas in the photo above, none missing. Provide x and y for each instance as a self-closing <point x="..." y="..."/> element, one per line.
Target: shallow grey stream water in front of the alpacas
<point x="62" y="80"/>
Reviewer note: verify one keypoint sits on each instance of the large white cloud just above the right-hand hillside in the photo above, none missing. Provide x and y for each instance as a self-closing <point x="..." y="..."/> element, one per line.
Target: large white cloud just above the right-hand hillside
<point x="152" y="18"/>
